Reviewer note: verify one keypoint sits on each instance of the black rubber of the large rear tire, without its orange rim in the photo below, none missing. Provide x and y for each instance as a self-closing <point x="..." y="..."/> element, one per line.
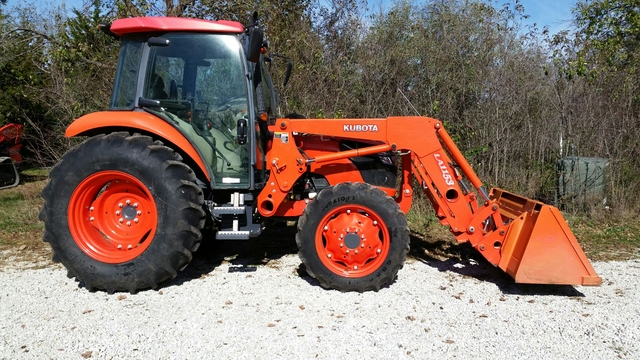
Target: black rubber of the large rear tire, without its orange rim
<point x="178" y="241"/>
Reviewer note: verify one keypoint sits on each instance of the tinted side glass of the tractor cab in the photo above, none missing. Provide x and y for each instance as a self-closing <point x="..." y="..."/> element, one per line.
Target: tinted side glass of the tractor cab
<point x="199" y="80"/>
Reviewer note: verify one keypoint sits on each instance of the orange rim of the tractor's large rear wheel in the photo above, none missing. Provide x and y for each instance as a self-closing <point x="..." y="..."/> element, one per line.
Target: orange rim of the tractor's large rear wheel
<point x="112" y="216"/>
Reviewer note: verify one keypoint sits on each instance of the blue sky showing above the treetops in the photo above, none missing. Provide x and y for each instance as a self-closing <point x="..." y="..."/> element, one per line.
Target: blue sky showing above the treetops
<point x="553" y="13"/>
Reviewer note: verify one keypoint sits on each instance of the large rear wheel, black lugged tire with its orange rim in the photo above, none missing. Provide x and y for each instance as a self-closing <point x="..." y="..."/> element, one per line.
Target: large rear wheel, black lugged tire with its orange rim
<point x="122" y="212"/>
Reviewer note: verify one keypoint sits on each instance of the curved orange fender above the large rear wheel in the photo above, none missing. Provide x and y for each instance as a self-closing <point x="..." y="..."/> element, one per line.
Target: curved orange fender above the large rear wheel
<point x="99" y="121"/>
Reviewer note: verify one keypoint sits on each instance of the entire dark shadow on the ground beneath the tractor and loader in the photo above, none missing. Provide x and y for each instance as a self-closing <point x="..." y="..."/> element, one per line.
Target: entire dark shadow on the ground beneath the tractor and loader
<point x="277" y="242"/>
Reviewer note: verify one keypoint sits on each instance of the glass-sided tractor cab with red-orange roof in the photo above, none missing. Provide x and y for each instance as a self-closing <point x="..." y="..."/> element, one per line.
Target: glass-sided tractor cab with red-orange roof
<point x="209" y="83"/>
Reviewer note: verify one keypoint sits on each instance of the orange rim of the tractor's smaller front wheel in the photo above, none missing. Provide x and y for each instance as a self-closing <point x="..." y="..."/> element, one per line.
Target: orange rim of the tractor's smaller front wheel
<point x="352" y="241"/>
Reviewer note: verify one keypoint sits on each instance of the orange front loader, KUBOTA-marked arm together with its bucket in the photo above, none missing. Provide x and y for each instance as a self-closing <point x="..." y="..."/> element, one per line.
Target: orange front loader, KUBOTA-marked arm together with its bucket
<point x="529" y="240"/>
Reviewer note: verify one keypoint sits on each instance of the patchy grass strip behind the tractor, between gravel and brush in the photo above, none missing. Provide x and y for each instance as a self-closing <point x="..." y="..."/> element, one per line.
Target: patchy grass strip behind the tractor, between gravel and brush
<point x="602" y="236"/>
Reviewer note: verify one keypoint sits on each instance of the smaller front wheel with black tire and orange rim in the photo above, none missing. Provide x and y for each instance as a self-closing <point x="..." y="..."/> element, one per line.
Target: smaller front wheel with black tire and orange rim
<point x="353" y="237"/>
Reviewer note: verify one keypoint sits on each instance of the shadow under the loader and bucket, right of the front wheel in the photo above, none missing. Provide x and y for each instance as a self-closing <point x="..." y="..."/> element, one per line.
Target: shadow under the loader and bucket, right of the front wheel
<point x="462" y="259"/>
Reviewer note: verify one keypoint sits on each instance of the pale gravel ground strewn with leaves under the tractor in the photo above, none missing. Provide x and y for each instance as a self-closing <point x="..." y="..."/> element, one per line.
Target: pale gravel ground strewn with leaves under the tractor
<point x="229" y="309"/>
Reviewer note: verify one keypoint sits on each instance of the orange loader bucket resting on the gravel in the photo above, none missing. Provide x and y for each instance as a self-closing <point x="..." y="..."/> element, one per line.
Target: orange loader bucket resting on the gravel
<point x="539" y="247"/>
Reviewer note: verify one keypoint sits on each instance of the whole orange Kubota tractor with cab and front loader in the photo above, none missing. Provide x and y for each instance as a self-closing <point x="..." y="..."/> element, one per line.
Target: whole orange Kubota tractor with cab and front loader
<point x="193" y="137"/>
